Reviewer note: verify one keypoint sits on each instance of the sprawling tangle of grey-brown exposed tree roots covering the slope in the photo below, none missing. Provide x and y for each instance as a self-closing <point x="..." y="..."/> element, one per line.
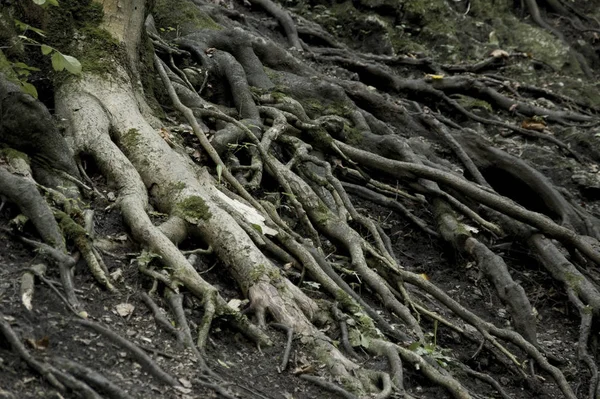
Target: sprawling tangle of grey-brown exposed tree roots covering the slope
<point x="286" y="151"/>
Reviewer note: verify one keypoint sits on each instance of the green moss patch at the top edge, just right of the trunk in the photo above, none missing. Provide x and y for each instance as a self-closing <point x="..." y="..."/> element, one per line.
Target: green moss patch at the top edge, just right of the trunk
<point x="181" y="17"/>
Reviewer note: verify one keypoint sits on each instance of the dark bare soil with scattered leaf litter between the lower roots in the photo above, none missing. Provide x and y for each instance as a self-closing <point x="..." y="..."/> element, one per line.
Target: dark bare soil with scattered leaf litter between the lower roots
<point x="48" y="332"/>
